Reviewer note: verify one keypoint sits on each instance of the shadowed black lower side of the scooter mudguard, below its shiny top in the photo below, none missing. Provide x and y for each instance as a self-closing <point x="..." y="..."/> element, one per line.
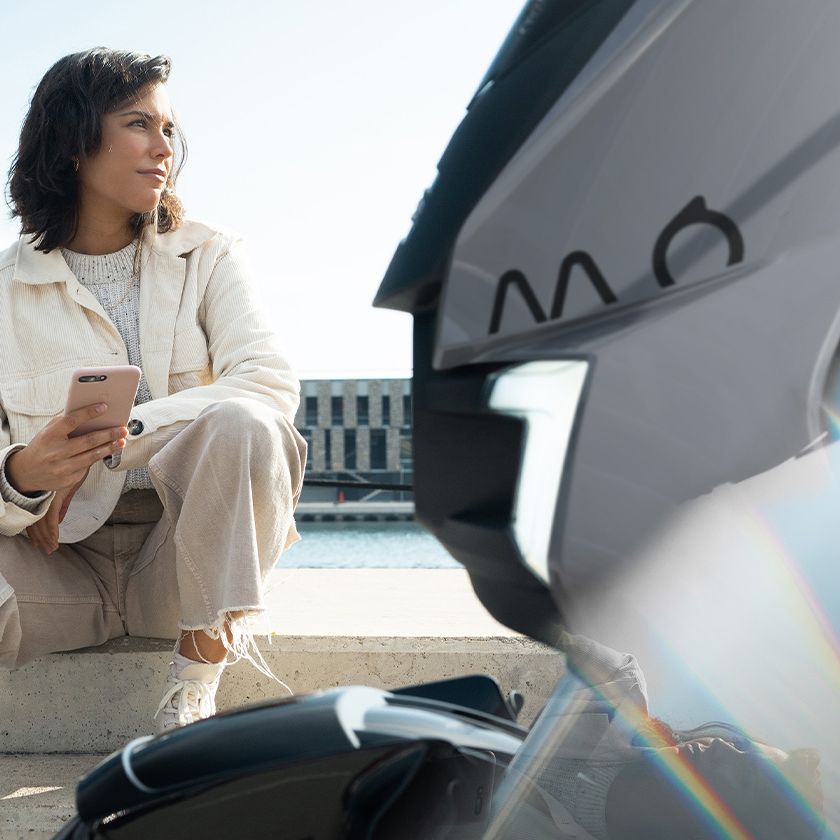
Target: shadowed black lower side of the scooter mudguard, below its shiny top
<point x="411" y="790"/>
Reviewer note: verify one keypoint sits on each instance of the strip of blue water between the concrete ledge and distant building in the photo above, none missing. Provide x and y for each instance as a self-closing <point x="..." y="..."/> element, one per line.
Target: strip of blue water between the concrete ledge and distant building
<point x="367" y="545"/>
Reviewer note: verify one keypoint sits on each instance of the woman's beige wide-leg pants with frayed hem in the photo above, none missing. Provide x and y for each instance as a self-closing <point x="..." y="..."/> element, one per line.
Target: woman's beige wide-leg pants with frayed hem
<point x="178" y="557"/>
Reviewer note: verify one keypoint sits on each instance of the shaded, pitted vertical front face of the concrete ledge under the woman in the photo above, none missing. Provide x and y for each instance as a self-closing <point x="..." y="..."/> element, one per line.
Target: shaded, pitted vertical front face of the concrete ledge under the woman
<point x="96" y="700"/>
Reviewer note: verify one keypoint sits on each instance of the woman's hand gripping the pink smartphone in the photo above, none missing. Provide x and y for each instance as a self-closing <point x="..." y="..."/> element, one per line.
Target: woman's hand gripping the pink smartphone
<point x="54" y="461"/>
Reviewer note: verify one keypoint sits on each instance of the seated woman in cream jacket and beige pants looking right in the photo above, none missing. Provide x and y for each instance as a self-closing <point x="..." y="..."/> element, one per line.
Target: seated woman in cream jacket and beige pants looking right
<point x="169" y="526"/>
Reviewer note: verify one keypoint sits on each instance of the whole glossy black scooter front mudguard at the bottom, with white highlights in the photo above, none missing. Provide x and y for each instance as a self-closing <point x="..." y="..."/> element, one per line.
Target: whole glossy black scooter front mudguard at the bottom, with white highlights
<point x="305" y="751"/>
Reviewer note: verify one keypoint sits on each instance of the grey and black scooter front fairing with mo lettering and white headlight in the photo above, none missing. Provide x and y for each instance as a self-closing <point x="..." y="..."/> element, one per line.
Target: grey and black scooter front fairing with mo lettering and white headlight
<point x="626" y="324"/>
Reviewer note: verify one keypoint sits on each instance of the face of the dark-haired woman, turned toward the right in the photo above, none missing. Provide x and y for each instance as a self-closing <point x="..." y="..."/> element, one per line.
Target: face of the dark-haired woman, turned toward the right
<point x="129" y="171"/>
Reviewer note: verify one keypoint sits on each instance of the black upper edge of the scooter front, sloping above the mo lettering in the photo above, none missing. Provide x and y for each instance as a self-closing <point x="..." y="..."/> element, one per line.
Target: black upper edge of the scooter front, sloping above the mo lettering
<point x="547" y="47"/>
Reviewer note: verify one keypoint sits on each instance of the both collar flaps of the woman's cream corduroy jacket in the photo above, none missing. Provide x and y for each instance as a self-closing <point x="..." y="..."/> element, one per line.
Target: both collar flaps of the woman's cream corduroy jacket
<point x="36" y="267"/>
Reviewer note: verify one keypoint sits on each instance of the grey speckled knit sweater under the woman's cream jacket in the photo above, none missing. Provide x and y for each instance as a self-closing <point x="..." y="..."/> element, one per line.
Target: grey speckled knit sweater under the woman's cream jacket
<point x="113" y="282"/>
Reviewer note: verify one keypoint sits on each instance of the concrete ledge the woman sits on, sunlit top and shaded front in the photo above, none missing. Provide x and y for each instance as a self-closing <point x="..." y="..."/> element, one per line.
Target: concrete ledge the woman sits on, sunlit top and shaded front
<point x="324" y="628"/>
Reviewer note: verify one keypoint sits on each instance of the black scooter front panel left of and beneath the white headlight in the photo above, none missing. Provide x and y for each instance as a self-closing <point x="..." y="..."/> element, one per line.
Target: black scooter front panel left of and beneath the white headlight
<point x="466" y="466"/>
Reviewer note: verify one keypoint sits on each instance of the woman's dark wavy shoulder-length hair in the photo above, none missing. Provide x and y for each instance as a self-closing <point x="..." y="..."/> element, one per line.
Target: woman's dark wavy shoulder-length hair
<point x="65" y="121"/>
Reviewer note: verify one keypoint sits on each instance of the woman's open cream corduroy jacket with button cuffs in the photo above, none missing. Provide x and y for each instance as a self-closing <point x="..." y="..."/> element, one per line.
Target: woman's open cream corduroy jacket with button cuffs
<point x="203" y="338"/>
